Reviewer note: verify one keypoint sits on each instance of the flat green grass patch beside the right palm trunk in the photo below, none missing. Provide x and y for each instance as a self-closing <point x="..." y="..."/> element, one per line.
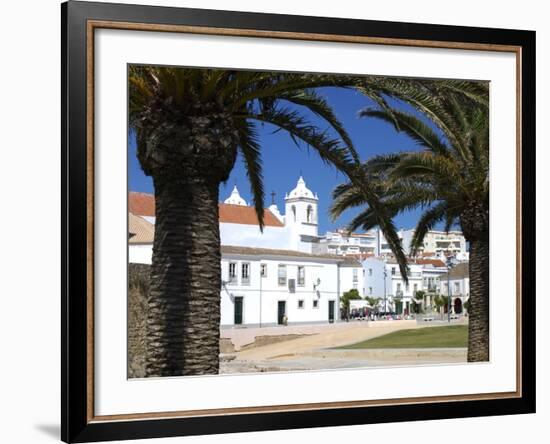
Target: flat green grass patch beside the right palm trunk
<point x="427" y="337"/>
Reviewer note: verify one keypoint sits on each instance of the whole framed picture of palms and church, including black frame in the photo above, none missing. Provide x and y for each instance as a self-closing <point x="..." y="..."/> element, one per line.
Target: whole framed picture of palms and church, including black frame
<point x="276" y="221"/>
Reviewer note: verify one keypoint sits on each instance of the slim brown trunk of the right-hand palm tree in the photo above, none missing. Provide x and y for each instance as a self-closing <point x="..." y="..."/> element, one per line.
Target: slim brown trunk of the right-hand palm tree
<point x="478" y="310"/>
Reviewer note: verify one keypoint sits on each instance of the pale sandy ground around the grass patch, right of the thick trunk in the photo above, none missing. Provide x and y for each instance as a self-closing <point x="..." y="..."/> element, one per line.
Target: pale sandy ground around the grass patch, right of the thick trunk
<point x="316" y="350"/>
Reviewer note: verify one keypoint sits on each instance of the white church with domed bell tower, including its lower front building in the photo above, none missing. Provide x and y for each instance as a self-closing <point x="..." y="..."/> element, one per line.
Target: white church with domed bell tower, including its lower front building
<point x="270" y="277"/>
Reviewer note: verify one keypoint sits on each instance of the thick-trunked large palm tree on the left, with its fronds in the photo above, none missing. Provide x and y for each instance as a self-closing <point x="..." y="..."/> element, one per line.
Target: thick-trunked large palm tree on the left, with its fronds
<point x="190" y="124"/>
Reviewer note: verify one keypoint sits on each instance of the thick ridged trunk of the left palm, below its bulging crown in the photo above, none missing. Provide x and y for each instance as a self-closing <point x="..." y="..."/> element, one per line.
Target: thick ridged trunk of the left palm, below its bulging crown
<point x="183" y="316"/>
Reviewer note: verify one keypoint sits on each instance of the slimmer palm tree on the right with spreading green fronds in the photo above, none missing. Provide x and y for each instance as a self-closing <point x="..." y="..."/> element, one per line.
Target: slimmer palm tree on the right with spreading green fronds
<point x="448" y="178"/>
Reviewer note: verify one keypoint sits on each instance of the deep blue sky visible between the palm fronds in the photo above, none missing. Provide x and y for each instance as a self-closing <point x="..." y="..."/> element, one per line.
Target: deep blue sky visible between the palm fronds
<point x="283" y="161"/>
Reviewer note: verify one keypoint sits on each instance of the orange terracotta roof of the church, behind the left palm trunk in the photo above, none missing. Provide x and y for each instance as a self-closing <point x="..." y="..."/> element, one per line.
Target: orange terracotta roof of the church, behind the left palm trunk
<point x="143" y="204"/>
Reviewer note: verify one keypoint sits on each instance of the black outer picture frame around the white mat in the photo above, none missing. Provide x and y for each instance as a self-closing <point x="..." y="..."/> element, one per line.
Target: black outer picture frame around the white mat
<point x="76" y="423"/>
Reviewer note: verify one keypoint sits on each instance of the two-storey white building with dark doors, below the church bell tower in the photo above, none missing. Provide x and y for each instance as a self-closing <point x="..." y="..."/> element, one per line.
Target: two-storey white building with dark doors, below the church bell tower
<point x="263" y="287"/>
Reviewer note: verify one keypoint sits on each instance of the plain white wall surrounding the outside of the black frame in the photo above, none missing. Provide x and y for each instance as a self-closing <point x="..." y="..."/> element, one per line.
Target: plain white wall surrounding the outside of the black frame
<point x="30" y="389"/>
